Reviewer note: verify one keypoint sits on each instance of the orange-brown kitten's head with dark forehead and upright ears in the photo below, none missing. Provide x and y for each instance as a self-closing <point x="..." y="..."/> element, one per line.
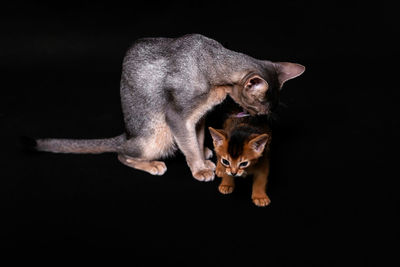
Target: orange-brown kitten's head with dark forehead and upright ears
<point x="239" y="151"/>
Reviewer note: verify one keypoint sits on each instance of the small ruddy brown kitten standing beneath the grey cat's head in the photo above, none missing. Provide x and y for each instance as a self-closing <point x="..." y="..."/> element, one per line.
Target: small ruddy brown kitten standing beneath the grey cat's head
<point x="242" y="149"/>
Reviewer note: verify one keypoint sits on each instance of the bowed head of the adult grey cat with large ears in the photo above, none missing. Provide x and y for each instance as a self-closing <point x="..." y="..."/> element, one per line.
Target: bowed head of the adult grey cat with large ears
<point x="258" y="91"/>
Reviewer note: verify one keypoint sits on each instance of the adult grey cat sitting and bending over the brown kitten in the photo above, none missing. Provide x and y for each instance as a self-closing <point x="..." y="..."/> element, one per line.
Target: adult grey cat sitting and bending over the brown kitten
<point x="167" y="86"/>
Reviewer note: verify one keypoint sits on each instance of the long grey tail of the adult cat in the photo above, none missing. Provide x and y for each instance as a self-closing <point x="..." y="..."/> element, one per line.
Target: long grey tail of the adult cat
<point x="91" y="146"/>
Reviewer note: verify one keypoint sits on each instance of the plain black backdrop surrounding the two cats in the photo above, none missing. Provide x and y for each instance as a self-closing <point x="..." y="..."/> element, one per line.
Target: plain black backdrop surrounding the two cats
<point x="330" y="185"/>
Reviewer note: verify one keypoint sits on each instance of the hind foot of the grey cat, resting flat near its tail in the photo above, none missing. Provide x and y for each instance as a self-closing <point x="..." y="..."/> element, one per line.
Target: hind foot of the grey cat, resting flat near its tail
<point x="151" y="166"/>
